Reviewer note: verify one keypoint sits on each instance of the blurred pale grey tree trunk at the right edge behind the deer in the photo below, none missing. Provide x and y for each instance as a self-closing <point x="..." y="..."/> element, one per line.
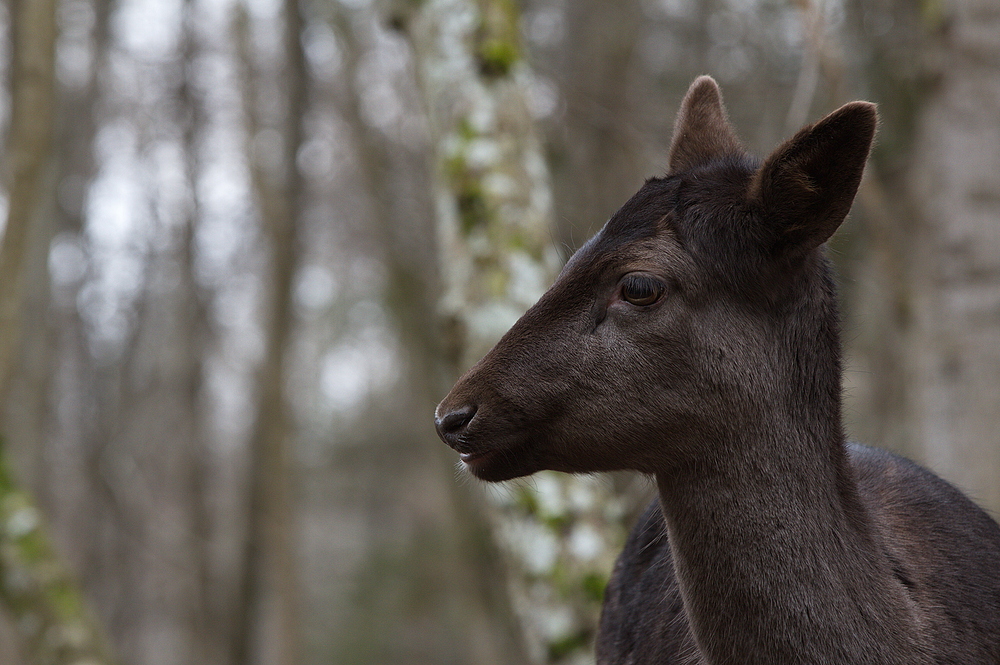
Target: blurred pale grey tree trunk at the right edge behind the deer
<point x="954" y="342"/>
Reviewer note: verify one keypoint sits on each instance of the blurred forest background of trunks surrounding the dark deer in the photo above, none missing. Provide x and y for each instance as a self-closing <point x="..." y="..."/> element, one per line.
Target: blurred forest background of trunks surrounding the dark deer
<point x="250" y="243"/>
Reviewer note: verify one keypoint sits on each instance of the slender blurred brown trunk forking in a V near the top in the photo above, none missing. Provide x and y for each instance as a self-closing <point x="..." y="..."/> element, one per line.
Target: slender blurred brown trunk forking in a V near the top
<point x="269" y="561"/>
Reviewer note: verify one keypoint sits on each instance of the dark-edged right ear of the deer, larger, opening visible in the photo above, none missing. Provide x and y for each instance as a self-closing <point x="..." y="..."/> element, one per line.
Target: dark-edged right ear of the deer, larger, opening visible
<point x="807" y="185"/>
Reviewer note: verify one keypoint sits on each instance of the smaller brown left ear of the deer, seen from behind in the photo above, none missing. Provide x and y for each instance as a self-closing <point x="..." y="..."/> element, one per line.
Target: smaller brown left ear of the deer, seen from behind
<point x="702" y="132"/>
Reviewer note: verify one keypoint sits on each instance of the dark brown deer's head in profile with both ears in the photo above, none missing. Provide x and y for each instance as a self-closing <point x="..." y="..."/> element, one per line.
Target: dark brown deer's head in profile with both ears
<point x="703" y="306"/>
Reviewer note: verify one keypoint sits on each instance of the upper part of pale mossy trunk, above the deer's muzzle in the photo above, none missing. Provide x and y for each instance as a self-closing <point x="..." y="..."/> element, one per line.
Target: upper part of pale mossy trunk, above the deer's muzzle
<point x="492" y="193"/>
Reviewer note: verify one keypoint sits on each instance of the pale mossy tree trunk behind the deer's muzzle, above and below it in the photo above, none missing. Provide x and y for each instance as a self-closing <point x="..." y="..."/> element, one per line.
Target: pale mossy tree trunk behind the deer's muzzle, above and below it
<point x="493" y="206"/>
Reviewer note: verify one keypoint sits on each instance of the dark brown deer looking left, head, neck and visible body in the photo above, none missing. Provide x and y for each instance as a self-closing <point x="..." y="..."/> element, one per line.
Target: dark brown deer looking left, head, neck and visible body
<point x="696" y="339"/>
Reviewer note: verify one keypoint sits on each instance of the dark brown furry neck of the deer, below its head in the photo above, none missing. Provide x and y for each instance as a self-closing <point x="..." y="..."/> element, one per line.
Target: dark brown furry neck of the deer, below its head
<point x="776" y="557"/>
